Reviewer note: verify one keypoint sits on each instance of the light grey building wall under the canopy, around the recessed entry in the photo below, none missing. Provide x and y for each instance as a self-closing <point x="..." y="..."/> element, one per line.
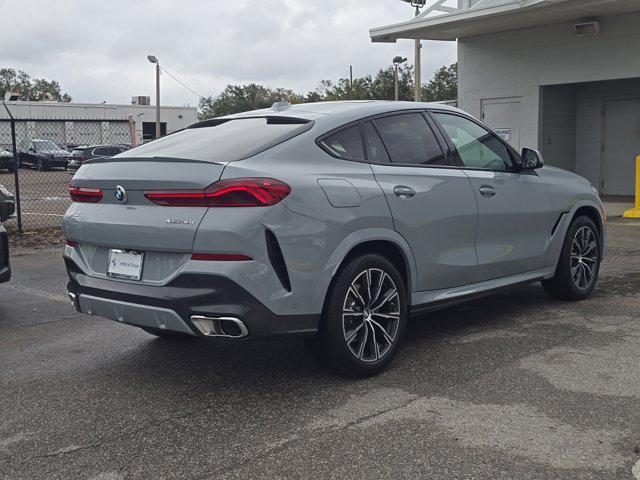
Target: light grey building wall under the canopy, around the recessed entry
<point x="518" y="63"/>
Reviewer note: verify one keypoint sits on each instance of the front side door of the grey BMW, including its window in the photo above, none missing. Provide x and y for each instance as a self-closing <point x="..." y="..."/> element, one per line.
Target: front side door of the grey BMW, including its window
<point x="514" y="207"/>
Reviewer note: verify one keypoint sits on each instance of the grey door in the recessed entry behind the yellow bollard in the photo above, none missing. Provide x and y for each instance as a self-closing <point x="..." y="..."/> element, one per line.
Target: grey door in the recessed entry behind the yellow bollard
<point x="621" y="146"/>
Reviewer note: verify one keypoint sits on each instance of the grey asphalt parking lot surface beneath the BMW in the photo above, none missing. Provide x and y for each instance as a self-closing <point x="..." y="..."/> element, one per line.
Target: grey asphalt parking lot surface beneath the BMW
<point x="512" y="386"/>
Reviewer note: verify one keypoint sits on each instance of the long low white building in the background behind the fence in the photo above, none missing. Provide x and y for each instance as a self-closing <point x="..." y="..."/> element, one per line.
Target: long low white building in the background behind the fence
<point x="88" y="123"/>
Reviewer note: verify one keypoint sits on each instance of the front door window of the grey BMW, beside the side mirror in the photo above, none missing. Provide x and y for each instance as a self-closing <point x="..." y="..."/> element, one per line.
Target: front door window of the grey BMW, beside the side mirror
<point x="476" y="147"/>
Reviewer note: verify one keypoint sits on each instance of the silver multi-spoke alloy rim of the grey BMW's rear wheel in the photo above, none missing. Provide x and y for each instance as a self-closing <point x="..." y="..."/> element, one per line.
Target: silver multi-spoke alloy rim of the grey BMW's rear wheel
<point x="371" y="315"/>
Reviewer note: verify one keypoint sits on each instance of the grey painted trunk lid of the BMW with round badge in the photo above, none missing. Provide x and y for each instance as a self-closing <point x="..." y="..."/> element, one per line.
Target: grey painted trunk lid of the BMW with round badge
<point x="135" y="222"/>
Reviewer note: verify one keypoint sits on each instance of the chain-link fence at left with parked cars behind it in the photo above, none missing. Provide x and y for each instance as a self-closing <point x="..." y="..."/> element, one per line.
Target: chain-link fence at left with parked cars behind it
<point x="38" y="158"/>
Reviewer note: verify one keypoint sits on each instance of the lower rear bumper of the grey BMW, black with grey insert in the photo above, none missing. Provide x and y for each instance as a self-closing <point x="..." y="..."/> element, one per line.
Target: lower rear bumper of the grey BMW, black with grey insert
<point x="171" y="307"/>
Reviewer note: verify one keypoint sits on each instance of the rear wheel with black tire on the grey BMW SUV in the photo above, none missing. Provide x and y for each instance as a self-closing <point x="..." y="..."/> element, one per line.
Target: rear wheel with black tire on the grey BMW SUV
<point x="366" y="354"/>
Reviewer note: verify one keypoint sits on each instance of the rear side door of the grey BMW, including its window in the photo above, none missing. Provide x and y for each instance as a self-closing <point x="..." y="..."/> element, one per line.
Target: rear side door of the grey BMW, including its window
<point x="432" y="203"/>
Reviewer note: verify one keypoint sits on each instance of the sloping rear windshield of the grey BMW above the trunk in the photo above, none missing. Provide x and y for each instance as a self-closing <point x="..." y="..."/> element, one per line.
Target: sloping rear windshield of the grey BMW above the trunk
<point x="224" y="142"/>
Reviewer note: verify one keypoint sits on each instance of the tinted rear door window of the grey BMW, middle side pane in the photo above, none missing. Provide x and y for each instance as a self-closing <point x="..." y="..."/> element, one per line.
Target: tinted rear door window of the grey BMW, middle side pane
<point x="409" y="139"/>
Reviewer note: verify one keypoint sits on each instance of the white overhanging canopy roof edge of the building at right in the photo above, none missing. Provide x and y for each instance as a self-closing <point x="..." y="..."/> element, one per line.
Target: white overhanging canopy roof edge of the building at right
<point x="492" y="16"/>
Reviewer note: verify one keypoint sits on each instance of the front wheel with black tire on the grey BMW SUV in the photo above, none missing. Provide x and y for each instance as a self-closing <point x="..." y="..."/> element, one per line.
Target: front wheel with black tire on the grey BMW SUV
<point x="579" y="265"/>
